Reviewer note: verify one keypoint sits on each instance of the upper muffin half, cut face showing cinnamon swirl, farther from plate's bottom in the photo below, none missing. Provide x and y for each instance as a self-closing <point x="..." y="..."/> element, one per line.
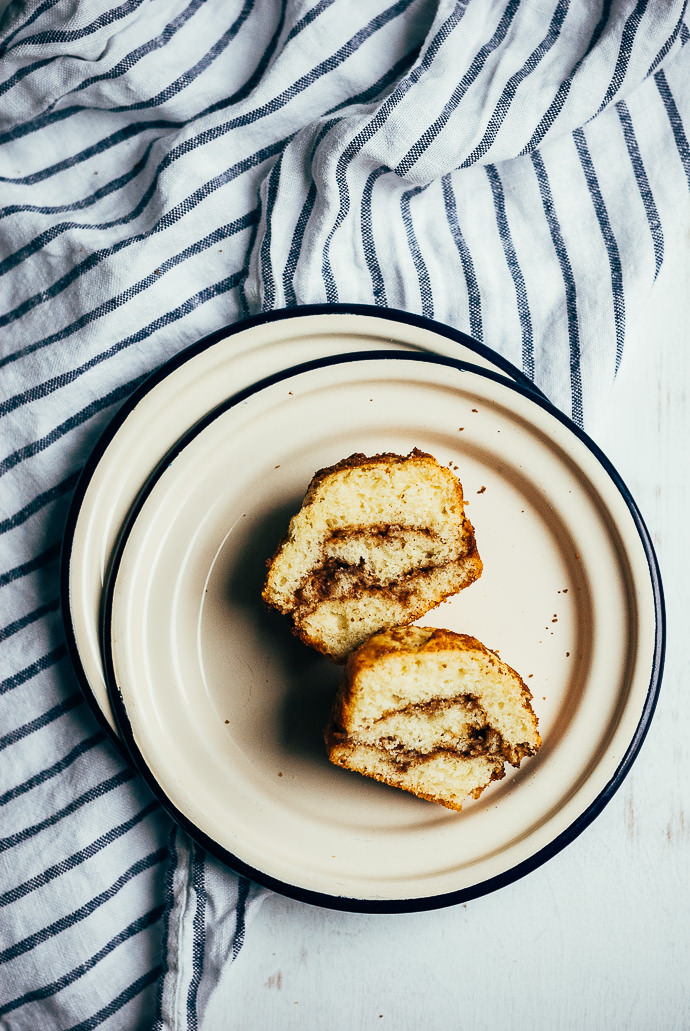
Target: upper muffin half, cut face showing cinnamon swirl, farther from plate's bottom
<point x="378" y="543"/>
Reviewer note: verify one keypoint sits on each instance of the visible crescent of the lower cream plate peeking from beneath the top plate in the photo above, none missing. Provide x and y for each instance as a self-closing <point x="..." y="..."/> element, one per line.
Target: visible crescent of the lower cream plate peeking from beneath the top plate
<point x="175" y="400"/>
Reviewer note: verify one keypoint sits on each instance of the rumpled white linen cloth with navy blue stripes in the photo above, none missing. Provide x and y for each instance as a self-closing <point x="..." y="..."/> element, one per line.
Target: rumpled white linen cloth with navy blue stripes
<point x="508" y="168"/>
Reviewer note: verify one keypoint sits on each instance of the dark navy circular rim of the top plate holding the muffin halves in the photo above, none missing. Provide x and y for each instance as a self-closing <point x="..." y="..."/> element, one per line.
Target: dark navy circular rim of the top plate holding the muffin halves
<point x="544" y="854"/>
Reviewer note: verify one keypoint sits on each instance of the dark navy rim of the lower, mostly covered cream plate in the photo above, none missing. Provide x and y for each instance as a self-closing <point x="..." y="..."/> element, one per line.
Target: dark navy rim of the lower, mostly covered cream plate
<point x="176" y="362"/>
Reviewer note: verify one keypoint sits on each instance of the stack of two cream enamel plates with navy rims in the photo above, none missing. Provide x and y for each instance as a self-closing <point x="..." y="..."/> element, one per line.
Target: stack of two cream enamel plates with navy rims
<point x="222" y="710"/>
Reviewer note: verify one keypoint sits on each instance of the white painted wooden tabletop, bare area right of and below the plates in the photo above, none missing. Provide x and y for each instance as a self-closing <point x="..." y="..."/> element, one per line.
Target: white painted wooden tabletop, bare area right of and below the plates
<point x="600" y="937"/>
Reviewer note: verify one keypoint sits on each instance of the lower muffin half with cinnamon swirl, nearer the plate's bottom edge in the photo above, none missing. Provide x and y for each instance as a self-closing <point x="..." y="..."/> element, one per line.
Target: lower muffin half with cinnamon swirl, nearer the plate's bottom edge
<point x="432" y="712"/>
